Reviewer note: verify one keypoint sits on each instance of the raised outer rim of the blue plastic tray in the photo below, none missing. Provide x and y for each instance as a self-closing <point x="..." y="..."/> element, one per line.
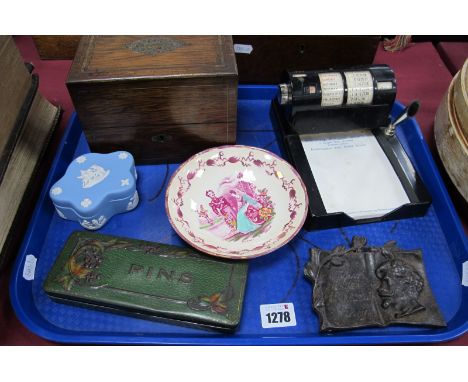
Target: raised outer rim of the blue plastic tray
<point x="67" y="336"/>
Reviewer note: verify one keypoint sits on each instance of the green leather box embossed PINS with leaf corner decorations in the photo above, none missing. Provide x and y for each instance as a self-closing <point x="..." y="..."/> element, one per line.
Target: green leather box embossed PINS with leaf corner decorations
<point x="148" y="280"/>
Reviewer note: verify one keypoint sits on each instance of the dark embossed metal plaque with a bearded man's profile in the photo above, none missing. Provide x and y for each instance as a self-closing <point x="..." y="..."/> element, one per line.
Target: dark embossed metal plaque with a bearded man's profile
<point x="365" y="286"/>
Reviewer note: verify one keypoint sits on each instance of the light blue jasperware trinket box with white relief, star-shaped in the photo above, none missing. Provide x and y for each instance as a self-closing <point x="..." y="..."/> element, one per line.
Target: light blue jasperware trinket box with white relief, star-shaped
<point x="95" y="187"/>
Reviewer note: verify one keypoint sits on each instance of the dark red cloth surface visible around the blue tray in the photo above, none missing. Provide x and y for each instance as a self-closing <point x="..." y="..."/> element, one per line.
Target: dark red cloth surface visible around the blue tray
<point x="420" y="72"/>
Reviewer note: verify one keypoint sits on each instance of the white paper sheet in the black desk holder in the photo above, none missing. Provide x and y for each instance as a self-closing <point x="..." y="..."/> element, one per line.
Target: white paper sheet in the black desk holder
<point x="353" y="174"/>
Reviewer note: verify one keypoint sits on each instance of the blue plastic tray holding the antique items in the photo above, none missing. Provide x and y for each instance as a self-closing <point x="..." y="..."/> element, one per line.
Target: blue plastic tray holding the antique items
<point x="274" y="278"/>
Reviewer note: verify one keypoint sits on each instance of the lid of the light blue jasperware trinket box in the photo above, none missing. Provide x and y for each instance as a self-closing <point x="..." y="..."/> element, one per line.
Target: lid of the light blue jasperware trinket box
<point x="93" y="180"/>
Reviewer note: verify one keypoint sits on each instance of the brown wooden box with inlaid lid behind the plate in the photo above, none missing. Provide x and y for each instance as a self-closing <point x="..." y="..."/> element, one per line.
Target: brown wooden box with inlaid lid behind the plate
<point x="162" y="98"/>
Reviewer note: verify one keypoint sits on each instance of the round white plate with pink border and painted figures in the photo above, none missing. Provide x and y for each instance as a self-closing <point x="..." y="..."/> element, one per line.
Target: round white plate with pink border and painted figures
<point x="236" y="201"/>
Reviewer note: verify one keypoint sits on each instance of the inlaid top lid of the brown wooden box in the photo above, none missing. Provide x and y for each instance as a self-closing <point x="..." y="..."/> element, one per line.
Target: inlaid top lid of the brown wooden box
<point x="114" y="58"/>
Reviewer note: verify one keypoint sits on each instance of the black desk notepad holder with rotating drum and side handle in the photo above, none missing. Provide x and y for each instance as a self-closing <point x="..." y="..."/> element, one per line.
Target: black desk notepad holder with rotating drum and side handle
<point x="336" y="130"/>
